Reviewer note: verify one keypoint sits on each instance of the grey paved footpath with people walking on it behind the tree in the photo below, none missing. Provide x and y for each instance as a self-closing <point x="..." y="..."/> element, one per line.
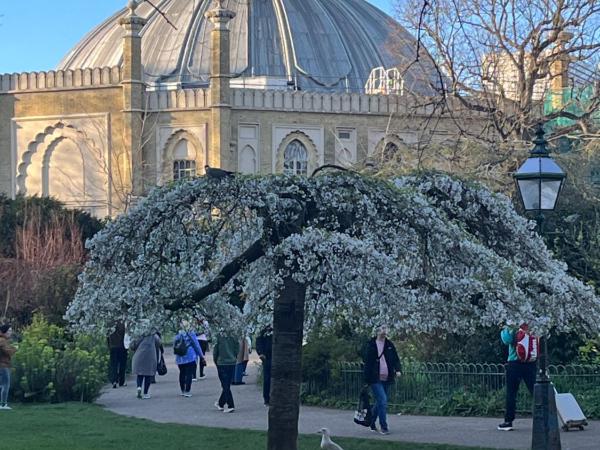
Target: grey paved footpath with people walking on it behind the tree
<point x="167" y="406"/>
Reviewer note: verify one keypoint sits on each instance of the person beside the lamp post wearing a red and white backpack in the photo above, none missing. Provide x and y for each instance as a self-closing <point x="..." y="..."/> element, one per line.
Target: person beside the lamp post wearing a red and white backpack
<point x="521" y="366"/>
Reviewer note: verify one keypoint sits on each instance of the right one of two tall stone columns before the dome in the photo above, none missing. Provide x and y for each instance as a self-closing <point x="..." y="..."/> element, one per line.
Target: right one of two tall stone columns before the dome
<point x="219" y="154"/>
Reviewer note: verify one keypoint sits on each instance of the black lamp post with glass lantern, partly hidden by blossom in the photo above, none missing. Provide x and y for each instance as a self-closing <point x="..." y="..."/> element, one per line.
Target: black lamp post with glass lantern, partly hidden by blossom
<point x="539" y="182"/>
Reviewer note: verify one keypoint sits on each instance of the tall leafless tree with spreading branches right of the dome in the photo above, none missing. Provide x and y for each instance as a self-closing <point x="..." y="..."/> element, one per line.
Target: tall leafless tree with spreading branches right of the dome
<point x="504" y="59"/>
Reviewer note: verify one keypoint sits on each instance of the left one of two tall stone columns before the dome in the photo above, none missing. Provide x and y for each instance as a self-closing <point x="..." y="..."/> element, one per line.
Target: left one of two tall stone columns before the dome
<point x="134" y="90"/>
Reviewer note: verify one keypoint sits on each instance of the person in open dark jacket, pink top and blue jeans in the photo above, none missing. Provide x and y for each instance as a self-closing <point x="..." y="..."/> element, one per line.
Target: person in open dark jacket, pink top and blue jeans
<point x="381" y="365"/>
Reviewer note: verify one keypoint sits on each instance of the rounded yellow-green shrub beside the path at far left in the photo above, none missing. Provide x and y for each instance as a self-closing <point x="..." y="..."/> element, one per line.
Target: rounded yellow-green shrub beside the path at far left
<point x="51" y="367"/>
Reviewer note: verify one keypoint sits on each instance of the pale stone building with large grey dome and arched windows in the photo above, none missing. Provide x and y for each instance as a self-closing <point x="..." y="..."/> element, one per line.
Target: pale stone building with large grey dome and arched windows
<point x="254" y="86"/>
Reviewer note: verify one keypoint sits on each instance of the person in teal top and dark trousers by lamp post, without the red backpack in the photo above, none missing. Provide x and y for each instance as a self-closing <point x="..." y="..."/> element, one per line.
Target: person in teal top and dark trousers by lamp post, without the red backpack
<point x="515" y="372"/>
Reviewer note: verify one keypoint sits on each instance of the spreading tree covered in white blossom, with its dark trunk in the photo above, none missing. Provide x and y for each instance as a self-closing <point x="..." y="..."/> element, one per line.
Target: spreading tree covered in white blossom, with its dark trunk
<point x="425" y="251"/>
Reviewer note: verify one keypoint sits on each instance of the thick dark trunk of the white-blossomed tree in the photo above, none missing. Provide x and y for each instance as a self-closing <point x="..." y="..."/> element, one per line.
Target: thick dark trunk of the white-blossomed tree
<point x="286" y="374"/>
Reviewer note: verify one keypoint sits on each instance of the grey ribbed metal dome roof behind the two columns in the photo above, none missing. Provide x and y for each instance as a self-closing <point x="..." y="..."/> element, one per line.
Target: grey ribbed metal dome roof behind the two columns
<point x="319" y="44"/>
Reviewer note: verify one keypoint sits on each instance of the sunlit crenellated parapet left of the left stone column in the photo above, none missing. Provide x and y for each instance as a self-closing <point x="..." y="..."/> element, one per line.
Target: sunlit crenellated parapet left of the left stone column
<point x="60" y="79"/>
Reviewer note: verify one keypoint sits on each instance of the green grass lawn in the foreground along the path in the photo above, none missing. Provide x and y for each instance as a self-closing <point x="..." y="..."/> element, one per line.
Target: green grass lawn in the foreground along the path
<point x="75" y="426"/>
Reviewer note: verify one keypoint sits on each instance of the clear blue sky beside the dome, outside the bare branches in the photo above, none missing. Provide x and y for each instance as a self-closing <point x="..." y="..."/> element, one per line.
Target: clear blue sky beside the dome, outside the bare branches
<point x="36" y="34"/>
